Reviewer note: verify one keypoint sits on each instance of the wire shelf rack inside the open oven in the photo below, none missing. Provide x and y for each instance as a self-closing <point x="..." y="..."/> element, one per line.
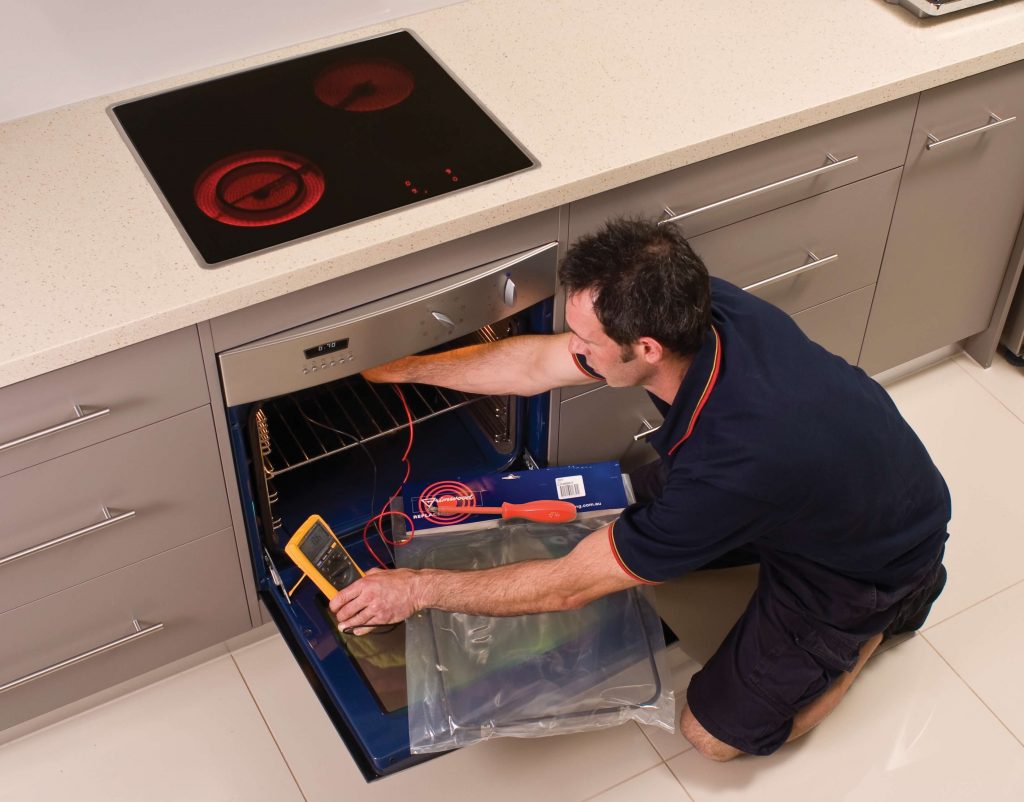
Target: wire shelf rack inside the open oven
<point x="300" y="430"/>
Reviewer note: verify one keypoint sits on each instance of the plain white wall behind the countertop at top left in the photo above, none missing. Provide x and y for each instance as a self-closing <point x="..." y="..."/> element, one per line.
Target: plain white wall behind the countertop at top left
<point x="55" y="53"/>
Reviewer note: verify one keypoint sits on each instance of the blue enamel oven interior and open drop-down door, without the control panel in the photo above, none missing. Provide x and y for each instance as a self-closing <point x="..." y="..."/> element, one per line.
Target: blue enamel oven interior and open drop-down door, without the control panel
<point x="336" y="451"/>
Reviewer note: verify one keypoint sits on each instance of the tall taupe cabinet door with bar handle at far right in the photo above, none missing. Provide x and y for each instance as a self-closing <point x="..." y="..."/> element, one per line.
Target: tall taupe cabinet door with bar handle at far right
<point x="957" y="217"/>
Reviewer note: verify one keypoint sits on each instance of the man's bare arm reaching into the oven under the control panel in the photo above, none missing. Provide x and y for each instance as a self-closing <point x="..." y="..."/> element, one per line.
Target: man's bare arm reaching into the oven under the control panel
<point x="524" y="366"/>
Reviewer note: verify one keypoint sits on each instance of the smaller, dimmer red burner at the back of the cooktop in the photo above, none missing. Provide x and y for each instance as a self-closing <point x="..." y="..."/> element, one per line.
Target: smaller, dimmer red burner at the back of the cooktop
<point x="367" y="86"/>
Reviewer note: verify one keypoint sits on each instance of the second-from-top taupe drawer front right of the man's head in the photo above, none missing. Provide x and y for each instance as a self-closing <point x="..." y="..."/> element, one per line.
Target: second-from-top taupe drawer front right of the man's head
<point x="845" y="230"/>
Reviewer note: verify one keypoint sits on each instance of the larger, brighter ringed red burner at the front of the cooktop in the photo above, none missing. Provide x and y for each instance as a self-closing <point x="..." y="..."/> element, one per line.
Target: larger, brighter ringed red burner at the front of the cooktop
<point x="260" y="188"/>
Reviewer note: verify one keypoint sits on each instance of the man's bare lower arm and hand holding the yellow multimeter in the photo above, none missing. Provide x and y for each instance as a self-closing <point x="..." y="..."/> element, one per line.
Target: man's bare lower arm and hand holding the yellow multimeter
<point x="587" y="573"/>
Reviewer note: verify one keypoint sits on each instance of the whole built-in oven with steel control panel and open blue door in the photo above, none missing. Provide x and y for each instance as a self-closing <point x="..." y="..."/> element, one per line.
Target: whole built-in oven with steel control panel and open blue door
<point x="310" y="436"/>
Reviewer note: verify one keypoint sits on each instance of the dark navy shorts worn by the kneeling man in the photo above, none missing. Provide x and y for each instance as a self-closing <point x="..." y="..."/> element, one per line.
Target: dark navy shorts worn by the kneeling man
<point x="802" y="630"/>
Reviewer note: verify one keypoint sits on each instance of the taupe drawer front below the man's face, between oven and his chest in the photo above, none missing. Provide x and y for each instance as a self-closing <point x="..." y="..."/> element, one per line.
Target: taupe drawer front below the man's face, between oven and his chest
<point x="603" y="425"/>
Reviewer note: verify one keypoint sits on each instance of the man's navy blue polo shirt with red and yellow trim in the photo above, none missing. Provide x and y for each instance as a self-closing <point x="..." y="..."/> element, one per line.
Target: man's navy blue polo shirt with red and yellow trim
<point x="776" y="445"/>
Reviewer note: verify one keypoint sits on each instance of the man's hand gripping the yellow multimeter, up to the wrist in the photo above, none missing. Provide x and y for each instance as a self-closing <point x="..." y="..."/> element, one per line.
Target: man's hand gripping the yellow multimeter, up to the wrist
<point x="380" y="598"/>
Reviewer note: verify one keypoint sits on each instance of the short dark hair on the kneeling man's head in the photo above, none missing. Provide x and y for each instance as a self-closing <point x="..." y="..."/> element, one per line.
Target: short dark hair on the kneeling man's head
<point x="648" y="282"/>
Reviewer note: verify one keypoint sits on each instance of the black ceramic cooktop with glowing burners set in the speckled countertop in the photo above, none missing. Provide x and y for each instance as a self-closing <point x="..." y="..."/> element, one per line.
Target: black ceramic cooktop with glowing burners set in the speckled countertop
<point x="265" y="157"/>
